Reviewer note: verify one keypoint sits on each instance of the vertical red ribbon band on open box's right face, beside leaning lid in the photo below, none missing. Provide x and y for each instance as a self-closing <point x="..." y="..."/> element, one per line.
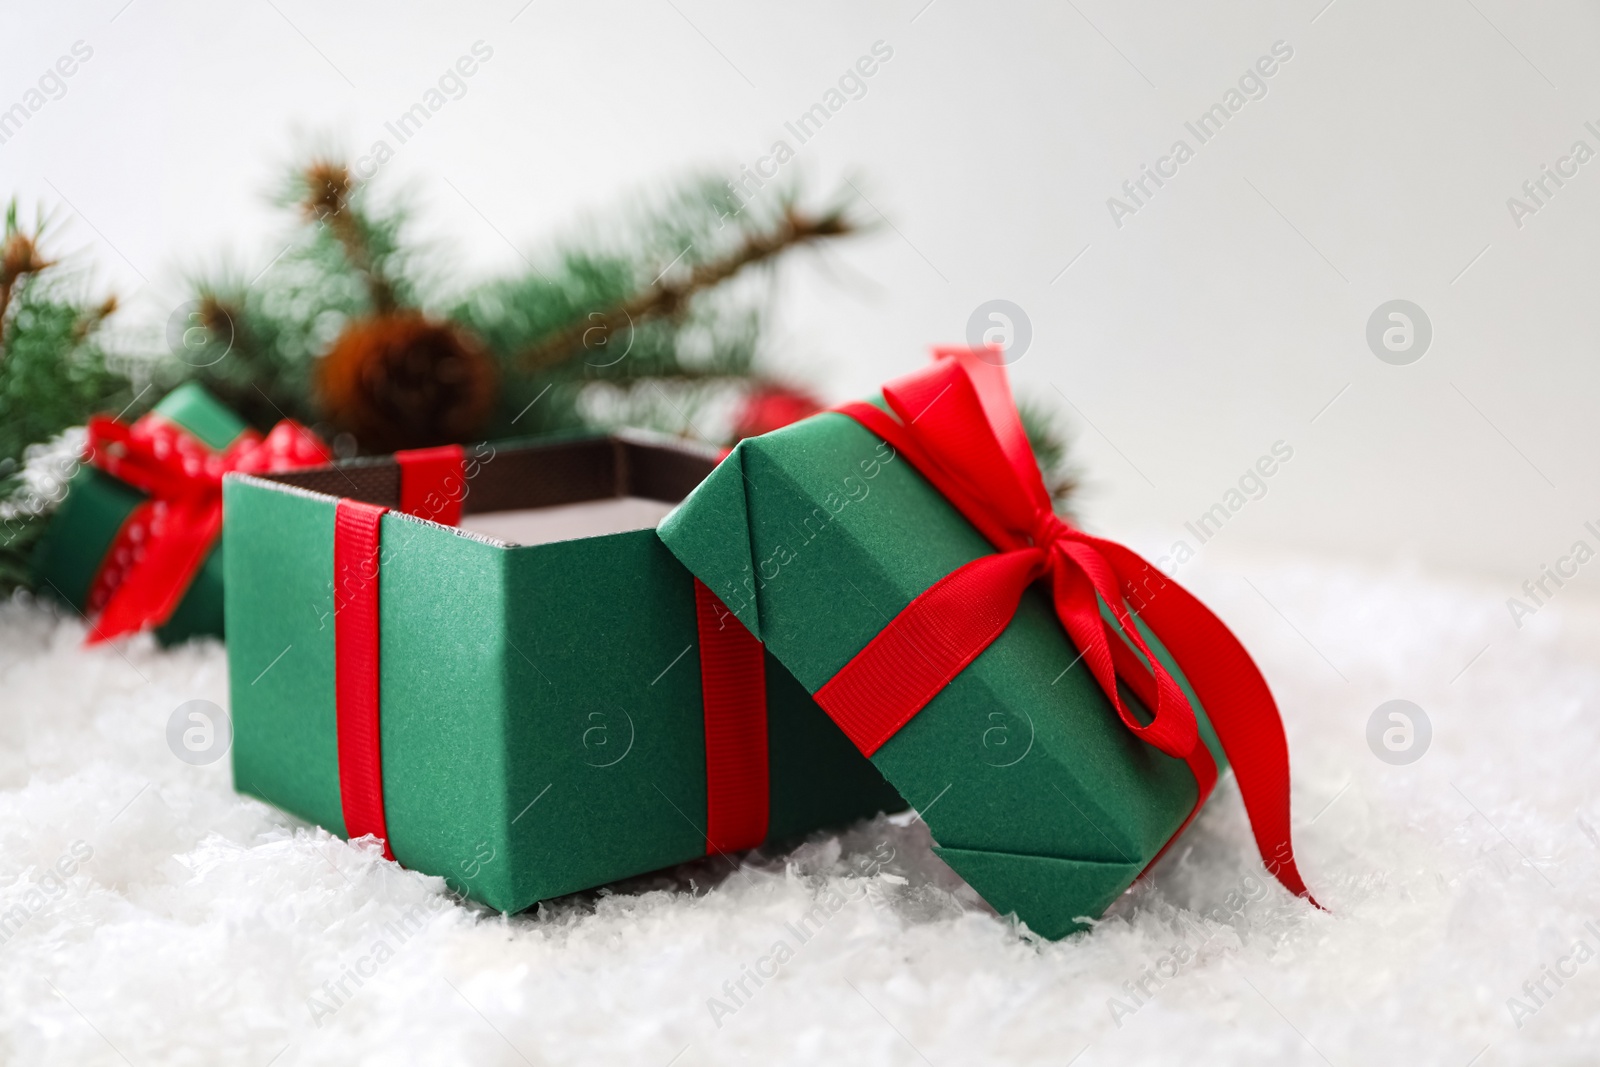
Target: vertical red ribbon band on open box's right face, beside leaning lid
<point x="734" y="687"/>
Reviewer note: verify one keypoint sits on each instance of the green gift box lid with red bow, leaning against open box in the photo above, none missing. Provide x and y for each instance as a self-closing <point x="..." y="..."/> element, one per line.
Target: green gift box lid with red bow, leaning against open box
<point x="1057" y="708"/>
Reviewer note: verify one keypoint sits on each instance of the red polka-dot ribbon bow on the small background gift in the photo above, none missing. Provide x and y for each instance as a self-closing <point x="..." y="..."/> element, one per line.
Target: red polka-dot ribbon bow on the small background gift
<point x="167" y="538"/>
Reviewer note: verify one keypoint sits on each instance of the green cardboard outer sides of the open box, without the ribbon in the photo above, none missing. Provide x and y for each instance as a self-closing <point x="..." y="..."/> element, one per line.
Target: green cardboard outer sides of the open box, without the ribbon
<point x="542" y="717"/>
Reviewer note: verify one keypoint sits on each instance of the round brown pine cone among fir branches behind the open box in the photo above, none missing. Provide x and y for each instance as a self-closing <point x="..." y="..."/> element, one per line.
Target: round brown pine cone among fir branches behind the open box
<point x="404" y="382"/>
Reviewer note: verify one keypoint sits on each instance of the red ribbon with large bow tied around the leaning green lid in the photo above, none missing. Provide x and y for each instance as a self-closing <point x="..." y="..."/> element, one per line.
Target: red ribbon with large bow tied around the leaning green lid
<point x="959" y="426"/>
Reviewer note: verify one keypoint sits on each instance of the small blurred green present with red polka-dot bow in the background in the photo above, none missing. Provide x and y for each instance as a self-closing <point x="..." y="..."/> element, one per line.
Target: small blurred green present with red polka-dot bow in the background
<point x="135" y="543"/>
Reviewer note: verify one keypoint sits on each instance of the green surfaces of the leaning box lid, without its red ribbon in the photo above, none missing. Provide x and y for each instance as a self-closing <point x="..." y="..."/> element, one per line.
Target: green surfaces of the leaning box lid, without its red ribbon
<point x="817" y="535"/>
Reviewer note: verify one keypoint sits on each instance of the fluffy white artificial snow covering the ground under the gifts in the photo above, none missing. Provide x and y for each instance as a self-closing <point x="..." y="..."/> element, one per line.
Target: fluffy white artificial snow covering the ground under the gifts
<point x="206" y="929"/>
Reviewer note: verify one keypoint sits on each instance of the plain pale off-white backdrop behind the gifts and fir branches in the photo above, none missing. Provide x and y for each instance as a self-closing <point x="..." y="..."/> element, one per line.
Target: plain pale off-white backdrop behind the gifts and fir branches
<point x="1223" y="318"/>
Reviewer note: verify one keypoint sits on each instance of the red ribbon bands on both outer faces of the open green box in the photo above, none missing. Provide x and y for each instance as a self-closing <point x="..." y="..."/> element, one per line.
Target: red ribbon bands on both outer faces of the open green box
<point x="734" y="695"/>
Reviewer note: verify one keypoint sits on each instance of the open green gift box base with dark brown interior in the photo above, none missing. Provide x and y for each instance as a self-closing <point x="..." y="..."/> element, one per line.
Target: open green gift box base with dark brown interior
<point x="542" y="721"/>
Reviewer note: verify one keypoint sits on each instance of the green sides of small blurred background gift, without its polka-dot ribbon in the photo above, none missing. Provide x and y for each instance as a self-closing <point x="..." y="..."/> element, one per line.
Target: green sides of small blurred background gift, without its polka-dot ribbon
<point x="82" y="532"/>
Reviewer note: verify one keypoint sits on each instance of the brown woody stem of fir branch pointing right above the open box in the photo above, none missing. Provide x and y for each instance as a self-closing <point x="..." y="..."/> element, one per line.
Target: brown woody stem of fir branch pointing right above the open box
<point x="666" y="298"/>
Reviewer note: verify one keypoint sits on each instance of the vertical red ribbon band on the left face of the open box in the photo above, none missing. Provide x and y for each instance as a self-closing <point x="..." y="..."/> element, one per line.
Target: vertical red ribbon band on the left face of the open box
<point x="358" y="535"/>
